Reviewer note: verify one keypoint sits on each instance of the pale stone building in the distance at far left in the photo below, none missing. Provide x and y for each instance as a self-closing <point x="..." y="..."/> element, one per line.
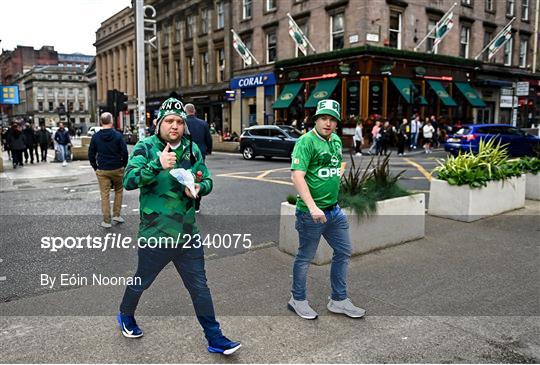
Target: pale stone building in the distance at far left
<point x="52" y="94"/>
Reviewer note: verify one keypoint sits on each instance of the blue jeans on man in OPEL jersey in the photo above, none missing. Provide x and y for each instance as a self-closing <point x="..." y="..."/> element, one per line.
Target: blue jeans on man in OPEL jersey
<point x="336" y="233"/>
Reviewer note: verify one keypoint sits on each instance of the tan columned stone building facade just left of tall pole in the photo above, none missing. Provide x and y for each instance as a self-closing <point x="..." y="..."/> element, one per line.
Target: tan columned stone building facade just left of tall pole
<point x="115" y="63"/>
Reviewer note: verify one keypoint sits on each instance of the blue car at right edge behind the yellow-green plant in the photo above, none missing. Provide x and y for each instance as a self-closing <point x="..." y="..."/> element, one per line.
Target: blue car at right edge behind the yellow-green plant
<point x="519" y="142"/>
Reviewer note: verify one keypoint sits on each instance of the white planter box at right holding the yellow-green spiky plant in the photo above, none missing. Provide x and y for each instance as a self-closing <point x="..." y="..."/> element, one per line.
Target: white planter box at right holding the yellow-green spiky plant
<point x="465" y="204"/>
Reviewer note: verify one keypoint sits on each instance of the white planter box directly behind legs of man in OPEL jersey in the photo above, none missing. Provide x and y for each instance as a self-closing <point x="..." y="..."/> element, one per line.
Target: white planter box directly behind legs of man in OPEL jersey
<point x="396" y="221"/>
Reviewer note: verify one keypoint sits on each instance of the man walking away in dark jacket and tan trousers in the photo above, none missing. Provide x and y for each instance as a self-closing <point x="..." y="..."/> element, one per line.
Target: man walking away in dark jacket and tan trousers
<point x="108" y="156"/>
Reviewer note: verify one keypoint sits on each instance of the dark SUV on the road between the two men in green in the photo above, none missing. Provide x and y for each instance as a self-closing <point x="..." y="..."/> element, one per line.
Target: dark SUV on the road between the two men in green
<point x="268" y="141"/>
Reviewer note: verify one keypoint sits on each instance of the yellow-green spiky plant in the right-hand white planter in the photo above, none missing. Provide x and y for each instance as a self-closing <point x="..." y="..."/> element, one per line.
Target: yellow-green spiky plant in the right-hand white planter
<point x="490" y="164"/>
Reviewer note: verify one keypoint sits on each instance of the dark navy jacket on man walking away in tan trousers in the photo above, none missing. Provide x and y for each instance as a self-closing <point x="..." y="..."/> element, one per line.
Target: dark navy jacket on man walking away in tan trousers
<point x="108" y="150"/>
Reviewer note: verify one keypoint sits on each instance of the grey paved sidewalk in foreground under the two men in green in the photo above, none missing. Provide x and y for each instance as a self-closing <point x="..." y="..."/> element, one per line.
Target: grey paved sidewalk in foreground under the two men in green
<point x="466" y="293"/>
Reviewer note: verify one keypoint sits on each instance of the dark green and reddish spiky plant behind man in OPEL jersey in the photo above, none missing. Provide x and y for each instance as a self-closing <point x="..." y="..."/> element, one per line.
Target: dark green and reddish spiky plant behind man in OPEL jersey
<point x="361" y="189"/>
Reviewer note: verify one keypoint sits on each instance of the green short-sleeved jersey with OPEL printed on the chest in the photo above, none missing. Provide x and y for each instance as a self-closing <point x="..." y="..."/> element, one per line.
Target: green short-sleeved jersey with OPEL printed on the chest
<point x="321" y="160"/>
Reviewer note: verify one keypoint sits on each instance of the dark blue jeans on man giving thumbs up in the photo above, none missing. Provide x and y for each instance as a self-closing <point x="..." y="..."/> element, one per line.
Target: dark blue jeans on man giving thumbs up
<point x="190" y="265"/>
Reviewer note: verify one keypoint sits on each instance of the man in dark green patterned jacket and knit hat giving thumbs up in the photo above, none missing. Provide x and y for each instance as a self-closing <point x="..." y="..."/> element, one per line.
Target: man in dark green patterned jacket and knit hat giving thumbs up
<point x="167" y="209"/>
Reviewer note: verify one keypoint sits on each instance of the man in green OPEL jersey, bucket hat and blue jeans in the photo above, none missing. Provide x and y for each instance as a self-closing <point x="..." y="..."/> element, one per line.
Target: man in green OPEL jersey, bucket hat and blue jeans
<point x="316" y="172"/>
